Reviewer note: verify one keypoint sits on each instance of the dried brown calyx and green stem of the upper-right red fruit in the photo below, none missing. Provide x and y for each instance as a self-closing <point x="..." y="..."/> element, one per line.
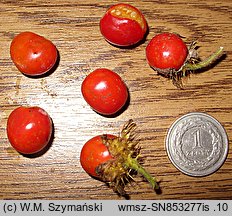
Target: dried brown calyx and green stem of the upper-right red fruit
<point x="192" y="64"/>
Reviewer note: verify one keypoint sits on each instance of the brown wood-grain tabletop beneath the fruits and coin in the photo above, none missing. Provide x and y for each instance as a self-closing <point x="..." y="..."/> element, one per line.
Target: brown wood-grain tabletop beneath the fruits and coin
<point x="73" y="26"/>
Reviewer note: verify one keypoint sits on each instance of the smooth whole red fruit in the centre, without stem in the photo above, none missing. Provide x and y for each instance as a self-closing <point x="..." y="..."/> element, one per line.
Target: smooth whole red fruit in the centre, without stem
<point x="104" y="91"/>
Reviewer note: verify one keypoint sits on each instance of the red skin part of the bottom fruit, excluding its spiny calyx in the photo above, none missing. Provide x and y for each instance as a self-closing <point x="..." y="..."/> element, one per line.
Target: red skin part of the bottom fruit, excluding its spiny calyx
<point x="94" y="153"/>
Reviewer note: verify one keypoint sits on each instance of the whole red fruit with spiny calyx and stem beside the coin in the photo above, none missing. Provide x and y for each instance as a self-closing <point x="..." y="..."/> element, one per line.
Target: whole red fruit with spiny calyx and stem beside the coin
<point x="114" y="159"/>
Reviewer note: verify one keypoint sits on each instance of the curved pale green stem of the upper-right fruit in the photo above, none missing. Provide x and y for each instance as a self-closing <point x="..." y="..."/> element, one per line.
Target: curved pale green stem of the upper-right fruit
<point x="204" y="63"/>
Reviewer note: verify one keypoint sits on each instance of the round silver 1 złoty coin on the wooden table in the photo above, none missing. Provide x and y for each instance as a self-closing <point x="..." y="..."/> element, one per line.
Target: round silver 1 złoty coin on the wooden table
<point x="197" y="144"/>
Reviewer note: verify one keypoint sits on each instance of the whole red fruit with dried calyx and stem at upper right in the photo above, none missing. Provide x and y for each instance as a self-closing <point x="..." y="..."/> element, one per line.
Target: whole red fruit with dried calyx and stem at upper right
<point x="168" y="54"/>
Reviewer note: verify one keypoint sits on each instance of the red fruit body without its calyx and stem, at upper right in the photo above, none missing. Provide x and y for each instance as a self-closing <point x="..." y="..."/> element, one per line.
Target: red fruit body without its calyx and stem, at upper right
<point x="166" y="51"/>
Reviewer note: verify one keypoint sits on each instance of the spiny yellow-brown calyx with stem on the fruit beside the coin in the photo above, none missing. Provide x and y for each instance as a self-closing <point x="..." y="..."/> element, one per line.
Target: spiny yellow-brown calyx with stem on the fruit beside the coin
<point x="125" y="163"/>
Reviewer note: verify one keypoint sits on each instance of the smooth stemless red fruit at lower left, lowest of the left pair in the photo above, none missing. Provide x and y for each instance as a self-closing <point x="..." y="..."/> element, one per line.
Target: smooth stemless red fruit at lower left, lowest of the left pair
<point x="29" y="129"/>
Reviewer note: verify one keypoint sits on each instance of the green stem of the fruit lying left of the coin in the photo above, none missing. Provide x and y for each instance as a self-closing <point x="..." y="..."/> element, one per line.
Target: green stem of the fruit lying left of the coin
<point x="133" y="164"/>
